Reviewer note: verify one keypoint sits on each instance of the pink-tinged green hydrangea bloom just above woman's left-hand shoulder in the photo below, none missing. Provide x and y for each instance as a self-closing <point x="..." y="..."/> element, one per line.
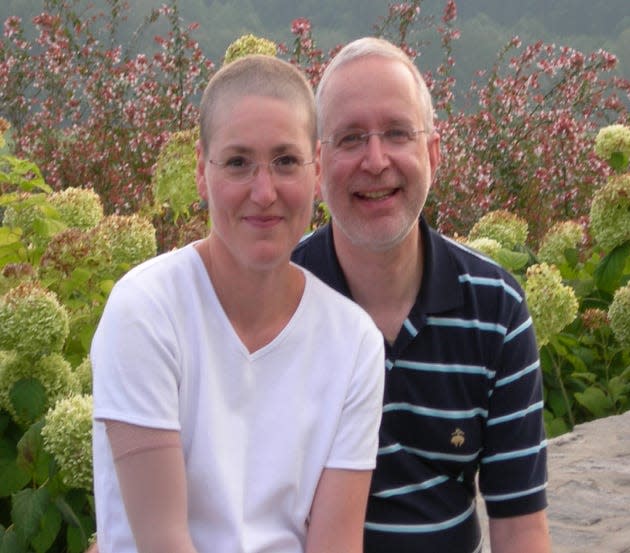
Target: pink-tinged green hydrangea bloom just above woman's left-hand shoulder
<point x="130" y="238"/>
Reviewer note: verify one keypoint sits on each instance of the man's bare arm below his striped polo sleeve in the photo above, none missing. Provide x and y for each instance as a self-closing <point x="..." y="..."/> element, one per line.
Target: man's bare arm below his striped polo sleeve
<point x="520" y="534"/>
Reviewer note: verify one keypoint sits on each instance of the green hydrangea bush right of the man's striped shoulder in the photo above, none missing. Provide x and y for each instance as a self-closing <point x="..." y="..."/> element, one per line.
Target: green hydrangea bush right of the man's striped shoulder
<point x="576" y="285"/>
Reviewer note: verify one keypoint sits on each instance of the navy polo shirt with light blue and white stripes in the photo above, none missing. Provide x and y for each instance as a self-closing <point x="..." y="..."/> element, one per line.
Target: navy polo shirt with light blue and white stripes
<point x="463" y="399"/>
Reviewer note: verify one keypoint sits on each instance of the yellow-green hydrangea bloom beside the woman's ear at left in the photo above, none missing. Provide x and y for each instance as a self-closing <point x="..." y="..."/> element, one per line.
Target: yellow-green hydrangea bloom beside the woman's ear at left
<point x="174" y="181"/>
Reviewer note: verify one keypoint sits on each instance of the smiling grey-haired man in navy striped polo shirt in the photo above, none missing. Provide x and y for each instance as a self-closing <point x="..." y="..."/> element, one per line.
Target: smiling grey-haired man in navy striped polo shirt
<point x="463" y="390"/>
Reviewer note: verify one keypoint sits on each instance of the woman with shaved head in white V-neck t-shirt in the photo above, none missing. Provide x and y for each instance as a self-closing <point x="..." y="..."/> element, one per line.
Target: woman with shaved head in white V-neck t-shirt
<point x="236" y="397"/>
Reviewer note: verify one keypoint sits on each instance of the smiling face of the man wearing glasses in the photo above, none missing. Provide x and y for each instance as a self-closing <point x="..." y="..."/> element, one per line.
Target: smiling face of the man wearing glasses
<point x="375" y="191"/>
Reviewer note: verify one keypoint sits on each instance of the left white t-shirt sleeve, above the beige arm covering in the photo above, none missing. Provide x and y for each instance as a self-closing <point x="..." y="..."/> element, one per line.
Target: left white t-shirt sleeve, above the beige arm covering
<point x="134" y="357"/>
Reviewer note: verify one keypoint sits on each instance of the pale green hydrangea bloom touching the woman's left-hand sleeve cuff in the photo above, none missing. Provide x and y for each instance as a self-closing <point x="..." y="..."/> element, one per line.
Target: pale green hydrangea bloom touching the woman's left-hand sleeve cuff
<point x="67" y="436"/>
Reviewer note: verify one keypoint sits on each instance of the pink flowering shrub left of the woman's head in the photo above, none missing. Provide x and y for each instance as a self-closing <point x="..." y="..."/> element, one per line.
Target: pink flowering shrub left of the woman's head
<point x="89" y="113"/>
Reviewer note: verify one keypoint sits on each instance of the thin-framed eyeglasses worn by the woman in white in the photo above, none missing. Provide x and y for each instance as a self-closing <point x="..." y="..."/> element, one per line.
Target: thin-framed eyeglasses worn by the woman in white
<point x="238" y="169"/>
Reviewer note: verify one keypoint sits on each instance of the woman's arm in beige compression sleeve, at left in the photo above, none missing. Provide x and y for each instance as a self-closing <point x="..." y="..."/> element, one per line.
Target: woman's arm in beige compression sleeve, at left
<point x="152" y="477"/>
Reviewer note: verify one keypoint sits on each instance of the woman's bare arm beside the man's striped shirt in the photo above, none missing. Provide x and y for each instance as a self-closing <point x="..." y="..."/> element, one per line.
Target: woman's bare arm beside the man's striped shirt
<point x="338" y="512"/>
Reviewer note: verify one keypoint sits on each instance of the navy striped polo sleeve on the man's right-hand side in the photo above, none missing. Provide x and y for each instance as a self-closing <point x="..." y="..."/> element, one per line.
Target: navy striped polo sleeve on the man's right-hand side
<point x="513" y="473"/>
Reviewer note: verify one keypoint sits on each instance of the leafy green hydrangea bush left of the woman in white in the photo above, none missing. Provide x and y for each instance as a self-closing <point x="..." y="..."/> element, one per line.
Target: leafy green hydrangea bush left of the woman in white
<point x="59" y="258"/>
